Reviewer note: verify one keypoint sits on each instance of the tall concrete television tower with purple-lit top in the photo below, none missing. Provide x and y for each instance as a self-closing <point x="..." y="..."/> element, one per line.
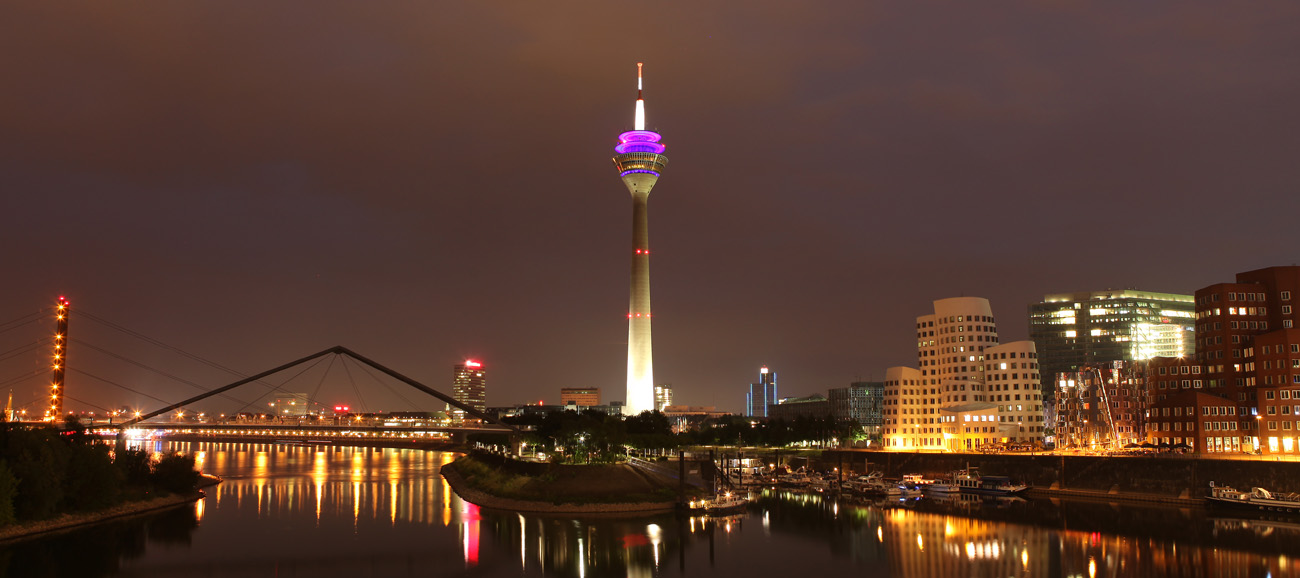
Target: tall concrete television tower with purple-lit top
<point x="640" y="162"/>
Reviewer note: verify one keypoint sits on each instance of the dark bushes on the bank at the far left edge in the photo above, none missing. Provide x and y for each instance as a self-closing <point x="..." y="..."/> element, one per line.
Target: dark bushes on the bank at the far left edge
<point x="50" y="471"/>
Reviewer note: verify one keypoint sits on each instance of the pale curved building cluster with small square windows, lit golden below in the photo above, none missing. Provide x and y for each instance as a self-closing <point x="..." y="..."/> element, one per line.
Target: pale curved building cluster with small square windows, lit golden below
<point x="970" y="392"/>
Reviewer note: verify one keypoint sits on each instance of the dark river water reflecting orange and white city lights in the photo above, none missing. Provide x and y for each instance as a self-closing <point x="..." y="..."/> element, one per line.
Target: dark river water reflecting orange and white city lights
<point x="294" y="511"/>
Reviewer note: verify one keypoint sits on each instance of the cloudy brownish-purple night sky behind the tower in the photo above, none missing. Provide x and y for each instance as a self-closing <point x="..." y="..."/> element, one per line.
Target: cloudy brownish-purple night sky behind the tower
<point x="430" y="181"/>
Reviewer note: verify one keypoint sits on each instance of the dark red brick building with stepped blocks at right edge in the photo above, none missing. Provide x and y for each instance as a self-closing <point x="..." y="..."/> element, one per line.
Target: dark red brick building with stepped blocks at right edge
<point x="1247" y="370"/>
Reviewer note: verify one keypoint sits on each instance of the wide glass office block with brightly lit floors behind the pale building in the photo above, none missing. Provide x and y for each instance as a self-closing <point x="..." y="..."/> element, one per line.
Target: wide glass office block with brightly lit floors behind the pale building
<point x="1093" y="328"/>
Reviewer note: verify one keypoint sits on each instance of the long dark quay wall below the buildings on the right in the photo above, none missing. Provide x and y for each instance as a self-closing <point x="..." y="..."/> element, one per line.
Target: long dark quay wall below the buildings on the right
<point x="1168" y="476"/>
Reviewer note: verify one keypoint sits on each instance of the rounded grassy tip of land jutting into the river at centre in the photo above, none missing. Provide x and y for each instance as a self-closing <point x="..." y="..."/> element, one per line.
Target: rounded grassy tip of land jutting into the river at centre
<point x="556" y="489"/>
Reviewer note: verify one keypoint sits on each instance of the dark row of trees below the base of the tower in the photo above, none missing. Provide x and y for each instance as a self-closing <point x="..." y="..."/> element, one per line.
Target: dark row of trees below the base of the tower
<point x="596" y="437"/>
